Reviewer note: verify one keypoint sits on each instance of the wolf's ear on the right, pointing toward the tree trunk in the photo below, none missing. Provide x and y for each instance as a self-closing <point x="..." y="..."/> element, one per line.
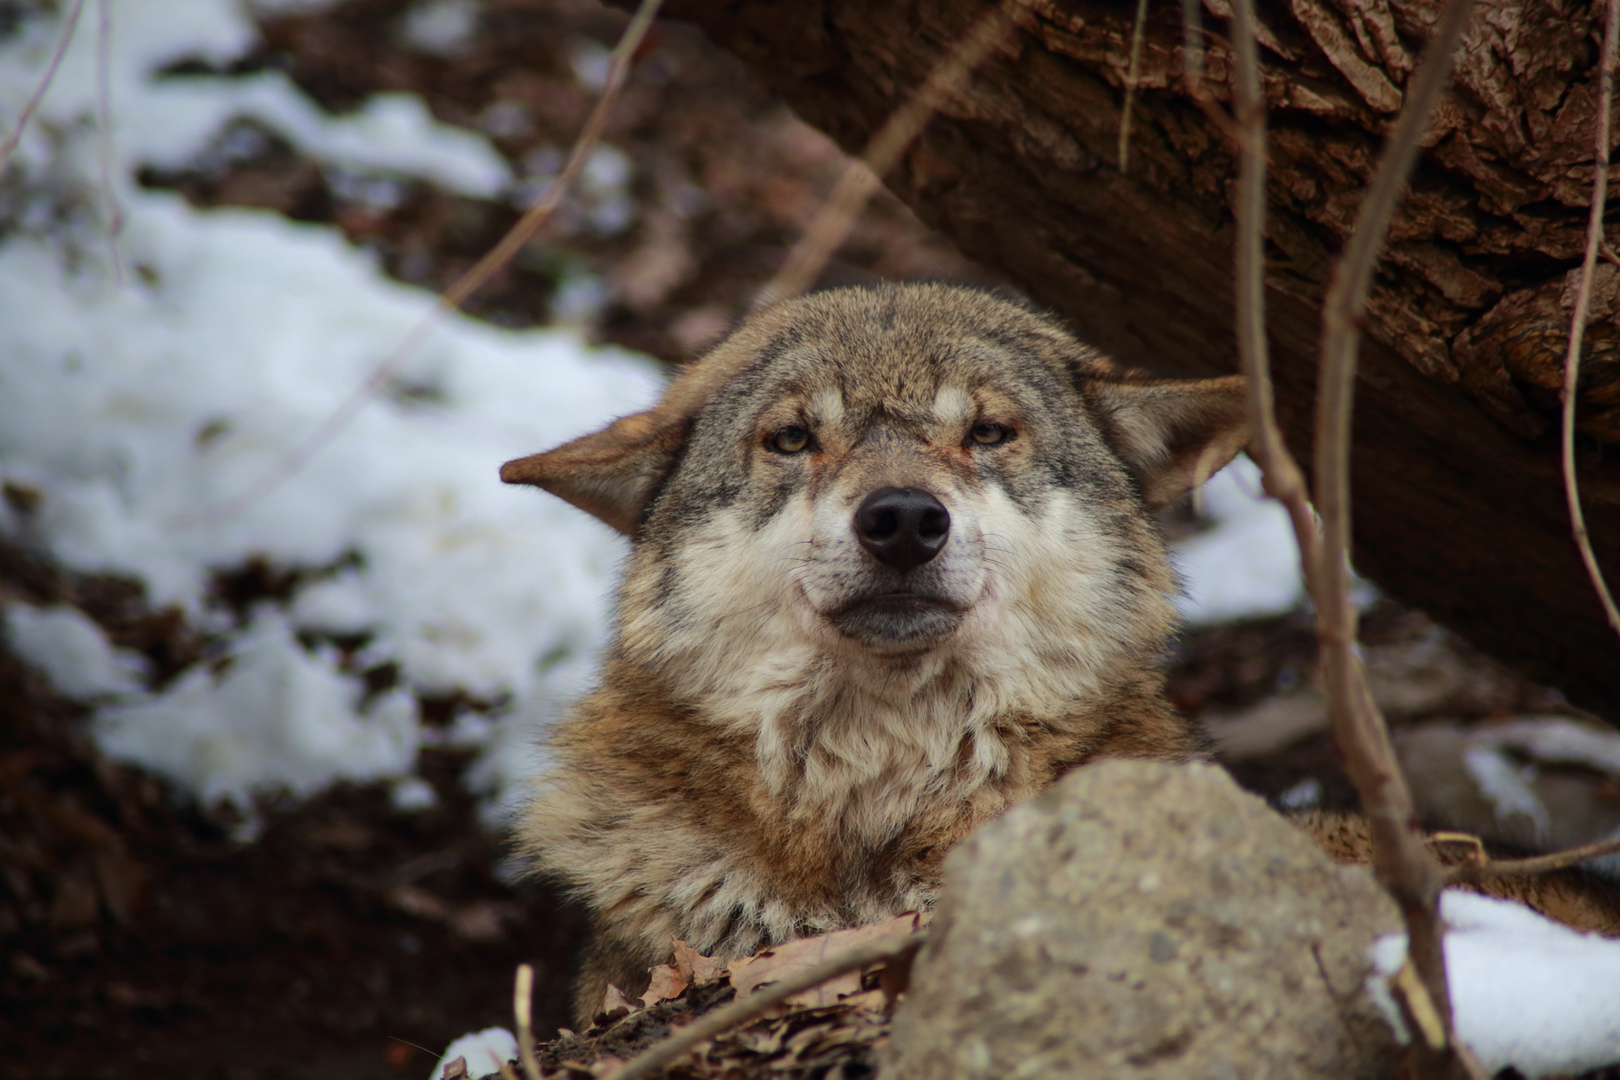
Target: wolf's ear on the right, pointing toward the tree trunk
<point x="1172" y="433"/>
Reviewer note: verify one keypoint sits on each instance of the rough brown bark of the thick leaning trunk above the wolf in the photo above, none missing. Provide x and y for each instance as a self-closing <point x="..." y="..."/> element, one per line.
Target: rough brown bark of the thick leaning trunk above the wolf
<point x="1457" y="487"/>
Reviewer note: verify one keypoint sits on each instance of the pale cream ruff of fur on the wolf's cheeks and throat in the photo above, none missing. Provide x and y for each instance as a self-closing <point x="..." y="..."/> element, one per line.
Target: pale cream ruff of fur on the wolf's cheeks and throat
<point x="864" y="738"/>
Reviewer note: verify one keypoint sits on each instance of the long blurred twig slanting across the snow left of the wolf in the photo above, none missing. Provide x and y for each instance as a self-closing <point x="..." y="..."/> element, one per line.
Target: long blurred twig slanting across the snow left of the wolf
<point x="466" y="286"/>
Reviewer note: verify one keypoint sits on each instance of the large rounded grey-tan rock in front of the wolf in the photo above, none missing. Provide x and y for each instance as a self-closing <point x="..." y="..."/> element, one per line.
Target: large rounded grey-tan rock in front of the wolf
<point x="1146" y="921"/>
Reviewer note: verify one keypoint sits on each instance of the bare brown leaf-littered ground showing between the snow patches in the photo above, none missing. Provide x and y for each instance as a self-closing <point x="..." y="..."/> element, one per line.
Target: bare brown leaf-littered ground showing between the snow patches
<point x="351" y="940"/>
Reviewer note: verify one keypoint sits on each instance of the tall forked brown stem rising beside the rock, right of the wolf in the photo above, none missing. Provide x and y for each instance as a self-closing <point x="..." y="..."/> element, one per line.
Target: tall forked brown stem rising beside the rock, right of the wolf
<point x="1405" y="865"/>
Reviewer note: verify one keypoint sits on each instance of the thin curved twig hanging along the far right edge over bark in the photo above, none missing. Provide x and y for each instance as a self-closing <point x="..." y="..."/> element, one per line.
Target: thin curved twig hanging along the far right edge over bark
<point x="1584" y="300"/>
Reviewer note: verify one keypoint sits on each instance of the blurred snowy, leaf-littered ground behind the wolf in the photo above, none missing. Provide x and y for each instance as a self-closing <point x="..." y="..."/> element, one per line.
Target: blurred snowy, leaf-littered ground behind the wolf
<point x="278" y="648"/>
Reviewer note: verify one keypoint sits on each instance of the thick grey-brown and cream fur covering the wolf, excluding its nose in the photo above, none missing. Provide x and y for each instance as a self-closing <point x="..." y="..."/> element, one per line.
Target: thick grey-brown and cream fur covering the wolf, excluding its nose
<point x="795" y="726"/>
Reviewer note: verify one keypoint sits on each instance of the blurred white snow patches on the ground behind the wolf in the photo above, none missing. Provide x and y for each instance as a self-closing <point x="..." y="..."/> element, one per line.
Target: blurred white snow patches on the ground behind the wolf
<point x="143" y="407"/>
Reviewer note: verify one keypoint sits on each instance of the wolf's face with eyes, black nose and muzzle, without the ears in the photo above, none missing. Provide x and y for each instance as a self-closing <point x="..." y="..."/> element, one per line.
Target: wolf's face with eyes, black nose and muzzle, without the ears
<point x="893" y="487"/>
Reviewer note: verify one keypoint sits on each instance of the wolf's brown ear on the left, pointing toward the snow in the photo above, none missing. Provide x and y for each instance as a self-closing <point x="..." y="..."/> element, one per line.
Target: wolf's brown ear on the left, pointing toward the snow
<point x="610" y="474"/>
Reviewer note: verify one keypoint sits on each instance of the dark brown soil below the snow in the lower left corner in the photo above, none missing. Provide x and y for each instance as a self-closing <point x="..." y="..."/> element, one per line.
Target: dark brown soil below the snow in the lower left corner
<point x="142" y="942"/>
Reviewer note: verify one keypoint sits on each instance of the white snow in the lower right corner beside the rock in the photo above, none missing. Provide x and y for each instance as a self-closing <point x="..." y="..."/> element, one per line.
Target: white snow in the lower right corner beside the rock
<point x="1525" y="992"/>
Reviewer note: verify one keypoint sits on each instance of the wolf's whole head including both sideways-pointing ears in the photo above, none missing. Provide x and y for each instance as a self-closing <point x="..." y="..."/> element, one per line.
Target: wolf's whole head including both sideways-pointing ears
<point x="885" y="485"/>
